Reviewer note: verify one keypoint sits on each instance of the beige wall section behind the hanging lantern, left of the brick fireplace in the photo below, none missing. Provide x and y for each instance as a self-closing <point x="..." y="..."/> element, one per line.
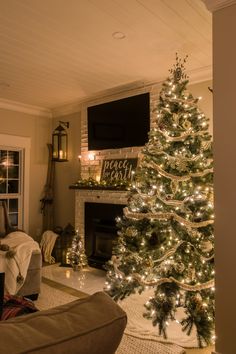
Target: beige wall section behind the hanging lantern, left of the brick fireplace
<point x="67" y="173"/>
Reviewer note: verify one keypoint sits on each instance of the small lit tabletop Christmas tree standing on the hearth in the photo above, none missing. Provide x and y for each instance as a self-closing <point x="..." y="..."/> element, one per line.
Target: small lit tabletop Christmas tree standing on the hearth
<point x="76" y="255"/>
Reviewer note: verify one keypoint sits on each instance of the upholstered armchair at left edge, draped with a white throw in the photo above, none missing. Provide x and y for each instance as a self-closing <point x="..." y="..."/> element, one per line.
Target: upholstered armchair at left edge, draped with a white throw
<point x="31" y="286"/>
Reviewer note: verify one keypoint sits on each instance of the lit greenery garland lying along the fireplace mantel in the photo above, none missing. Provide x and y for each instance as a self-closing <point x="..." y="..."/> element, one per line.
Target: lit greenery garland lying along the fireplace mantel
<point x="91" y="183"/>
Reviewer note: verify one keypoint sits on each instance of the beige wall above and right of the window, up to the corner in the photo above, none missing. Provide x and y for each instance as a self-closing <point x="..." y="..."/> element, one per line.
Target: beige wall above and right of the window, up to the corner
<point x="38" y="129"/>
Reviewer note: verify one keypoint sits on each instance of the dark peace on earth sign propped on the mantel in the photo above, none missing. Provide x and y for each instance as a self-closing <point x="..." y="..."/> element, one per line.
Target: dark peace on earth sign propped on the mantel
<point x="118" y="169"/>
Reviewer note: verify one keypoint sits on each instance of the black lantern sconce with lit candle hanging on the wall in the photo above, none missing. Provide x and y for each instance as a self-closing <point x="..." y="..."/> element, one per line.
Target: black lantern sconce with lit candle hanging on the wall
<point x="60" y="143"/>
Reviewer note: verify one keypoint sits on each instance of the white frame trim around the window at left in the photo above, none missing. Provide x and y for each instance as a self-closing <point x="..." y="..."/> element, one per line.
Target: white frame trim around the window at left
<point x="8" y="142"/>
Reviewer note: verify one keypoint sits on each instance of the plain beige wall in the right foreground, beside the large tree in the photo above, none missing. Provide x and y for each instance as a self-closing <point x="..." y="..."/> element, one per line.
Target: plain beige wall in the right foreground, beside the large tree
<point x="224" y="73"/>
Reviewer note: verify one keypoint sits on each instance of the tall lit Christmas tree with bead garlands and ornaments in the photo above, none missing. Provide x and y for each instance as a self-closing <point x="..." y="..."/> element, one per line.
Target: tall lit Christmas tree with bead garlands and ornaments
<point x="165" y="238"/>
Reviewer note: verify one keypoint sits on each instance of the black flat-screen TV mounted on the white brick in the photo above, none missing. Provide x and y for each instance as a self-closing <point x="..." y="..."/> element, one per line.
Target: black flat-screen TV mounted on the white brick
<point x="118" y="124"/>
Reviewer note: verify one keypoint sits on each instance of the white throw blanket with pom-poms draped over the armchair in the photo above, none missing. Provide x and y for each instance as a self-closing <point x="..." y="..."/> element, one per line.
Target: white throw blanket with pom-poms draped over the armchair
<point x="23" y="245"/>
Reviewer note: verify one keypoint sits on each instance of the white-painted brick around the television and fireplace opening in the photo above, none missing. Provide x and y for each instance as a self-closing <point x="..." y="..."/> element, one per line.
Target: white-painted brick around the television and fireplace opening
<point x="92" y="168"/>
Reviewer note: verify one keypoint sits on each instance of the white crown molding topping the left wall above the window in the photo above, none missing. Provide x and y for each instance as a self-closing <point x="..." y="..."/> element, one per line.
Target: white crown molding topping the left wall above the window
<point x="25" y="108"/>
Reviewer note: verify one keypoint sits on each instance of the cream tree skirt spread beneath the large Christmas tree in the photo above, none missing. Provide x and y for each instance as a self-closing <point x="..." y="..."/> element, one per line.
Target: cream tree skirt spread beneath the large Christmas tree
<point x="142" y="328"/>
